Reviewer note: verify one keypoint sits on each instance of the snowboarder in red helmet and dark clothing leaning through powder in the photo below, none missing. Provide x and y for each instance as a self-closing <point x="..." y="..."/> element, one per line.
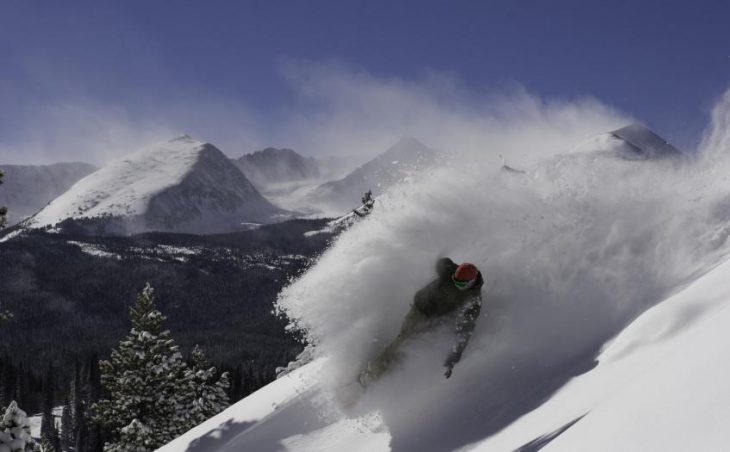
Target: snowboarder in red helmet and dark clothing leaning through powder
<point x="454" y="294"/>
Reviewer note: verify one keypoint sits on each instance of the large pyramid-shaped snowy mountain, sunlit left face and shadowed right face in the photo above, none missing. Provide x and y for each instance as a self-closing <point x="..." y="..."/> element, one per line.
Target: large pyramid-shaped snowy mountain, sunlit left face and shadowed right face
<point x="182" y="185"/>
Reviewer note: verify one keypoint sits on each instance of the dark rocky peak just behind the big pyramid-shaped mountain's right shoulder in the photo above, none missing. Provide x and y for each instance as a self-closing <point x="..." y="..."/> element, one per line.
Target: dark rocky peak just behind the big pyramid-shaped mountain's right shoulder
<point x="277" y="165"/>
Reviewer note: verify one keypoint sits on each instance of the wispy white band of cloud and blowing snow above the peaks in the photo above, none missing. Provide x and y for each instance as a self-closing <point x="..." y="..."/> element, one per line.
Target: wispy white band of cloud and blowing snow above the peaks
<point x="334" y="109"/>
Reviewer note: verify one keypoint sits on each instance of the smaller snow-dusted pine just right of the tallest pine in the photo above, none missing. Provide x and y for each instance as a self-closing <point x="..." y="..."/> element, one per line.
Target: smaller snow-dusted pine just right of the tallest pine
<point x="211" y="396"/>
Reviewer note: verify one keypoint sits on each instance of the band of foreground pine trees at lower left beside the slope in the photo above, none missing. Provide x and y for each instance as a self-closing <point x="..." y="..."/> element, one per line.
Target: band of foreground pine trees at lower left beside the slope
<point x="142" y="397"/>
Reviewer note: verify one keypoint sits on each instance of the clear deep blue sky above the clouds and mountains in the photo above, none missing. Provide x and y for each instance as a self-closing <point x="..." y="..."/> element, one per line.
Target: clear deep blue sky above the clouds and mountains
<point x="153" y="62"/>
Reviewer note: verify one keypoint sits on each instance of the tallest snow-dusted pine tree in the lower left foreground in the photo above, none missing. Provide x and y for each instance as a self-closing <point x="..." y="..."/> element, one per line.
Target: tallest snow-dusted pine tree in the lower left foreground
<point x="150" y="386"/>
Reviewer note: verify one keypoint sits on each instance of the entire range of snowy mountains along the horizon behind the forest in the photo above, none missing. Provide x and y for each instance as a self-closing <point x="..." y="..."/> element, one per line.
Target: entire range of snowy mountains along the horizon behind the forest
<point x="186" y="185"/>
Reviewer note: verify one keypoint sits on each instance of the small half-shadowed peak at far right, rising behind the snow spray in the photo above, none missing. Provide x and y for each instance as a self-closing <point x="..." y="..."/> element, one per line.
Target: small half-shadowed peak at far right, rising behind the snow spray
<point x="633" y="142"/>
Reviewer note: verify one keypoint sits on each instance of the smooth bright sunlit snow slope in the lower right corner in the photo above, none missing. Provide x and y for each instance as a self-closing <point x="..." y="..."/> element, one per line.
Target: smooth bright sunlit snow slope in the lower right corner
<point x="660" y="385"/>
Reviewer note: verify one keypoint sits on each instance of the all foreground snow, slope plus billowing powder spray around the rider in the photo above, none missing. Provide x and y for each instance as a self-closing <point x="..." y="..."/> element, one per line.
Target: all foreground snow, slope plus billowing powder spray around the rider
<point x="572" y="251"/>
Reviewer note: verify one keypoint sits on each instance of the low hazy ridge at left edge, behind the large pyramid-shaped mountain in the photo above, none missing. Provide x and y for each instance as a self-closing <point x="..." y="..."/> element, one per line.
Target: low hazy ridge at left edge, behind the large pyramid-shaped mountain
<point x="28" y="188"/>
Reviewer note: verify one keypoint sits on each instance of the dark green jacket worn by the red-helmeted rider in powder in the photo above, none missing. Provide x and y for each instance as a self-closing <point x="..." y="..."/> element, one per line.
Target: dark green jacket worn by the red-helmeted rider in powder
<point x="441" y="298"/>
